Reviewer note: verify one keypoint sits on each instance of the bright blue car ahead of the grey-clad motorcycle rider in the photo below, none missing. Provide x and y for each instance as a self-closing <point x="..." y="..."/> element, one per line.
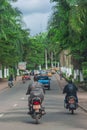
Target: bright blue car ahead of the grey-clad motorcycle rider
<point x="45" y="80"/>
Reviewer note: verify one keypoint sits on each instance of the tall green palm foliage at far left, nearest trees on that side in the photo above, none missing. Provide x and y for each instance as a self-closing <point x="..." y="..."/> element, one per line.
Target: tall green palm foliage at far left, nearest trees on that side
<point x="12" y="36"/>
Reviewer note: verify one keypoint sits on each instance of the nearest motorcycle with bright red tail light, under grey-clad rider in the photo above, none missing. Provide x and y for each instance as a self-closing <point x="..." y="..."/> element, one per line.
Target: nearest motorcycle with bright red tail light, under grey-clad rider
<point x="37" y="111"/>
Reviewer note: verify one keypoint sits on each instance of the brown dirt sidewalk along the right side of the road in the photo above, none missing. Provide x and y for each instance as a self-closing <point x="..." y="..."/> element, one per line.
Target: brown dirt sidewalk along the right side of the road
<point x="82" y="95"/>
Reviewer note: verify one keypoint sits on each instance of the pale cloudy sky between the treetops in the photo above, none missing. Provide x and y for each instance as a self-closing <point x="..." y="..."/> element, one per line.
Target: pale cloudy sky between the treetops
<point x="35" y="14"/>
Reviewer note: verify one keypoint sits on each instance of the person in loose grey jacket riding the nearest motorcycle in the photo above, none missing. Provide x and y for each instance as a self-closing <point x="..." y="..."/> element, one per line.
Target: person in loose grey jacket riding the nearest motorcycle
<point x="33" y="89"/>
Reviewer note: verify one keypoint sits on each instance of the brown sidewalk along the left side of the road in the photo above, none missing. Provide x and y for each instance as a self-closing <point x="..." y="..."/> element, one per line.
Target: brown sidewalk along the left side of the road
<point x="4" y="84"/>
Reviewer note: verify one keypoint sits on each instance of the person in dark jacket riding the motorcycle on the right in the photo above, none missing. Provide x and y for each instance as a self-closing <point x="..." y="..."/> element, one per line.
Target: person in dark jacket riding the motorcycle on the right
<point x="71" y="90"/>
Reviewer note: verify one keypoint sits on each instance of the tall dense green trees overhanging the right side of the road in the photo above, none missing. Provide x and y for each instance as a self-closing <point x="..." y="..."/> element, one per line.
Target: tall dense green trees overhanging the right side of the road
<point x="68" y="28"/>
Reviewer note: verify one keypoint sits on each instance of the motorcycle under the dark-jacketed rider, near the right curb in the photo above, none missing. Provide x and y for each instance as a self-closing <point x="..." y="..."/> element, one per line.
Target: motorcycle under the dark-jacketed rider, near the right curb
<point x="72" y="104"/>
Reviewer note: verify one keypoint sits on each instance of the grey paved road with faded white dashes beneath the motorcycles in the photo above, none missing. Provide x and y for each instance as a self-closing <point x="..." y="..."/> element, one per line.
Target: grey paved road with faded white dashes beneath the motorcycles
<point x="13" y="111"/>
